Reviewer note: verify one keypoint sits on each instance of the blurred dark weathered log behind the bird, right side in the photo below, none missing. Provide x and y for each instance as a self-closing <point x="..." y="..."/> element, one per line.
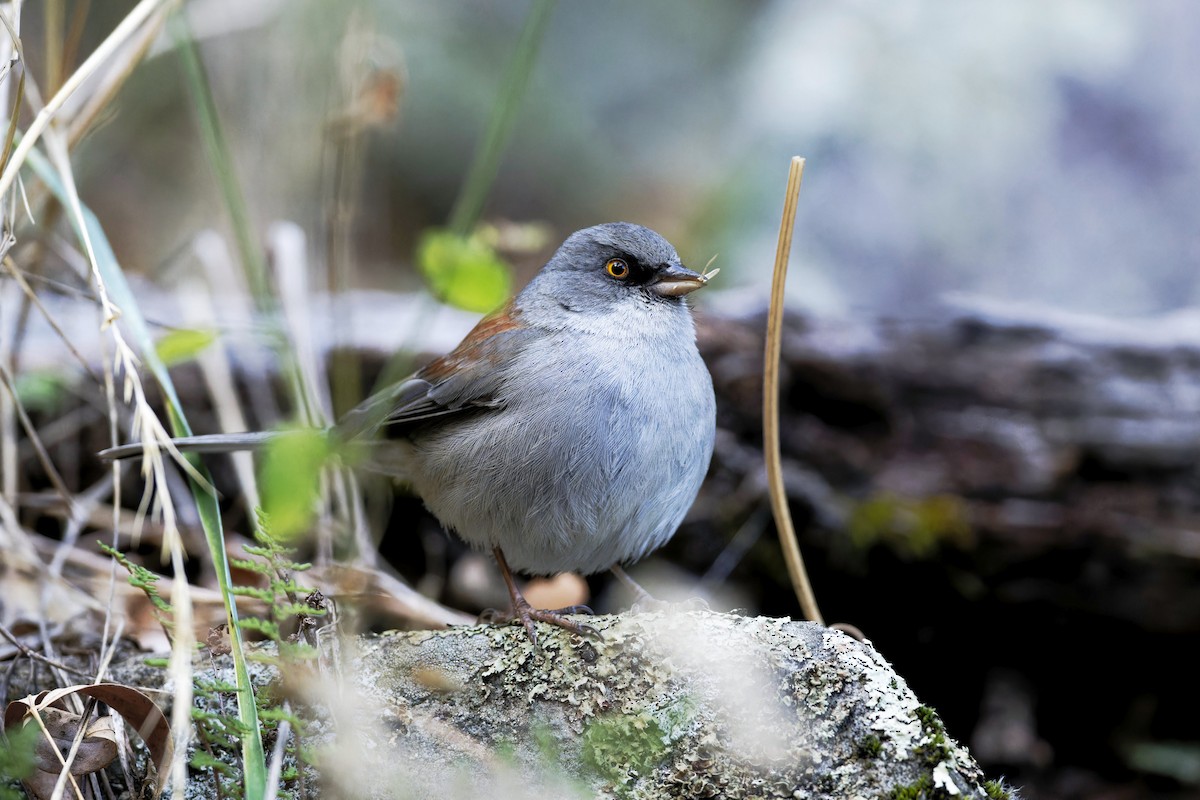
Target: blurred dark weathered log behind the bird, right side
<point x="1004" y="432"/>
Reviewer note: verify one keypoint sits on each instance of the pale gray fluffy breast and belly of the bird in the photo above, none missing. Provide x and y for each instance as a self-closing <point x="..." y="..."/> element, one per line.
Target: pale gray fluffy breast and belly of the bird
<point x="595" y="460"/>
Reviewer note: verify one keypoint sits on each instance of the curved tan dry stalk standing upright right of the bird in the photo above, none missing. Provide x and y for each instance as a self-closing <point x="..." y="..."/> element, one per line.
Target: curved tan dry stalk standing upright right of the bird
<point x="771" y="404"/>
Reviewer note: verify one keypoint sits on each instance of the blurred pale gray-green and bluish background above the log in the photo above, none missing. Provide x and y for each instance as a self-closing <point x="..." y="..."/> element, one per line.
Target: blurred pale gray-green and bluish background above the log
<point x="1041" y="153"/>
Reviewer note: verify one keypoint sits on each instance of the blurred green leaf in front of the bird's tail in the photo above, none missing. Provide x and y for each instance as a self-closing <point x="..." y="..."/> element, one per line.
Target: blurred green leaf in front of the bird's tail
<point x="291" y="480"/>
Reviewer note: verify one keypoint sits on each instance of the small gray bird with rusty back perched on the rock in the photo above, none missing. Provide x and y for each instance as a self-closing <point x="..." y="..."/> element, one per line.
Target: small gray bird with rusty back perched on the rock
<point x="569" y="431"/>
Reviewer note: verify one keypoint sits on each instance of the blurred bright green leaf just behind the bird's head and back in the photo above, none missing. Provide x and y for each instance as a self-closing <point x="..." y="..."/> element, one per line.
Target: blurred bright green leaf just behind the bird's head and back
<point x="464" y="272"/>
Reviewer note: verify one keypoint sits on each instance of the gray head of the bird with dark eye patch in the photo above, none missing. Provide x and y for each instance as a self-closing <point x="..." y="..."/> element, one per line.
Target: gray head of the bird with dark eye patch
<point x="604" y="266"/>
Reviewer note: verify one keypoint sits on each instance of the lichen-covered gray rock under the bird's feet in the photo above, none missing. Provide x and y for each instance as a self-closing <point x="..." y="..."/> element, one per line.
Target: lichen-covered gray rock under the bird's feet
<point x="673" y="705"/>
